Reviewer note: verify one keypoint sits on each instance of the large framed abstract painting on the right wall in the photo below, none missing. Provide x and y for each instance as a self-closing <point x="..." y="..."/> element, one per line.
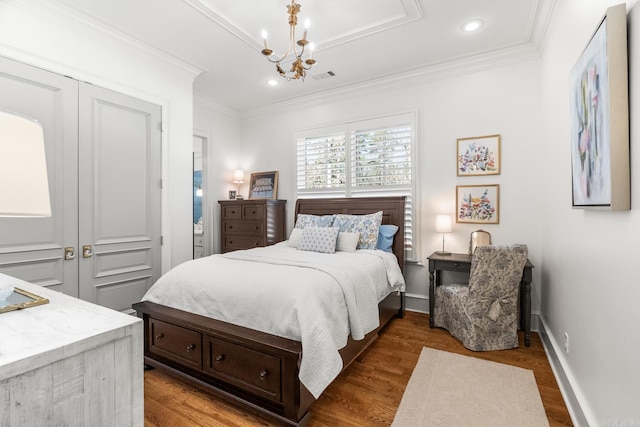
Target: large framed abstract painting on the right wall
<point x="599" y="108"/>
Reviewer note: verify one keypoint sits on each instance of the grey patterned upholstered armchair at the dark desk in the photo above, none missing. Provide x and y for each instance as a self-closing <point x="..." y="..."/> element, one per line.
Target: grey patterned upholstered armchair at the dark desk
<point x="483" y="315"/>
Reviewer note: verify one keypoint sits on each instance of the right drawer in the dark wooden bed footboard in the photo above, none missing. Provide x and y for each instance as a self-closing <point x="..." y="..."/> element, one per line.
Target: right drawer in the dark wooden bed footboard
<point x="242" y="366"/>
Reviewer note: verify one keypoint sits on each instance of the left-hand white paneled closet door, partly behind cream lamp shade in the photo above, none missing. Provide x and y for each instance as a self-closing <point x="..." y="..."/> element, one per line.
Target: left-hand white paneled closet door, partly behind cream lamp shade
<point x="33" y="248"/>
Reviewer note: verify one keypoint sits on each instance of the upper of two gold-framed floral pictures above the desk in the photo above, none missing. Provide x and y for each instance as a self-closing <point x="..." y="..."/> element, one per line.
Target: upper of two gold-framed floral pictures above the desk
<point x="478" y="155"/>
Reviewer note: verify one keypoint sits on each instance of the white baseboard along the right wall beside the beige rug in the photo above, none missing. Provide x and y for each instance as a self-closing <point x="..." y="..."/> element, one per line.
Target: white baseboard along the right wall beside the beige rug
<point x="576" y="404"/>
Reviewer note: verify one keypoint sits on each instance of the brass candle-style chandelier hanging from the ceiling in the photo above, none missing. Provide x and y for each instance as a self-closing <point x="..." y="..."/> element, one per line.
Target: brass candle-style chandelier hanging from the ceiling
<point x="299" y="67"/>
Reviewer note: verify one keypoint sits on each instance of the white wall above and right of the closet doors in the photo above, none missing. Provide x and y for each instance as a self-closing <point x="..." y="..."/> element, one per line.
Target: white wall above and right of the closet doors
<point x="51" y="37"/>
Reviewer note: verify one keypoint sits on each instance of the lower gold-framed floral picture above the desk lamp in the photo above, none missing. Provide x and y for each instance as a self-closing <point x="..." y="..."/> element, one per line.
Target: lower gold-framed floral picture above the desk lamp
<point x="478" y="204"/>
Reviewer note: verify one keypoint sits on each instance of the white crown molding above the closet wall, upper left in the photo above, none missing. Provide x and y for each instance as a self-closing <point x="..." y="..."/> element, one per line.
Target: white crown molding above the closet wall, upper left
<point x="86" y="27"/>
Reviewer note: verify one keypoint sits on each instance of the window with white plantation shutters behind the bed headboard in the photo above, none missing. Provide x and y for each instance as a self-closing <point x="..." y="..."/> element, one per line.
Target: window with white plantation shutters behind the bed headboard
<point x="372" y="157"/>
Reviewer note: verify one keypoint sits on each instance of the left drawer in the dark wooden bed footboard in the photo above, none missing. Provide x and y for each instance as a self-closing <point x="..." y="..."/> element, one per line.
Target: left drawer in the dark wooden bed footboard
<point x="178" y="344"/>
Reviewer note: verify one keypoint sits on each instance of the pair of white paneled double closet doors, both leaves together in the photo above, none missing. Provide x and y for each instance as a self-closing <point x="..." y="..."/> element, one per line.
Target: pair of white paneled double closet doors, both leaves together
<point x="102" y="242"/>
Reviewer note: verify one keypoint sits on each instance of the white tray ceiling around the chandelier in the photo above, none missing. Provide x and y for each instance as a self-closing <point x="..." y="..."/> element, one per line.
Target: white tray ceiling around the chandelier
<point x="360" y="41"/>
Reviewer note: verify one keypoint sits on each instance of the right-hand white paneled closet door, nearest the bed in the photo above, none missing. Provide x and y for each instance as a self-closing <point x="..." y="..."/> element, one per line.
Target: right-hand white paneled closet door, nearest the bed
<point x="119" y="202"/>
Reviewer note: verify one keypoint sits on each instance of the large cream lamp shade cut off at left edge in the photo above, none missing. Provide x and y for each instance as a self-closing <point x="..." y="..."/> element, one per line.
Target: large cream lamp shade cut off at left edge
<point x="24" y="187"/>
